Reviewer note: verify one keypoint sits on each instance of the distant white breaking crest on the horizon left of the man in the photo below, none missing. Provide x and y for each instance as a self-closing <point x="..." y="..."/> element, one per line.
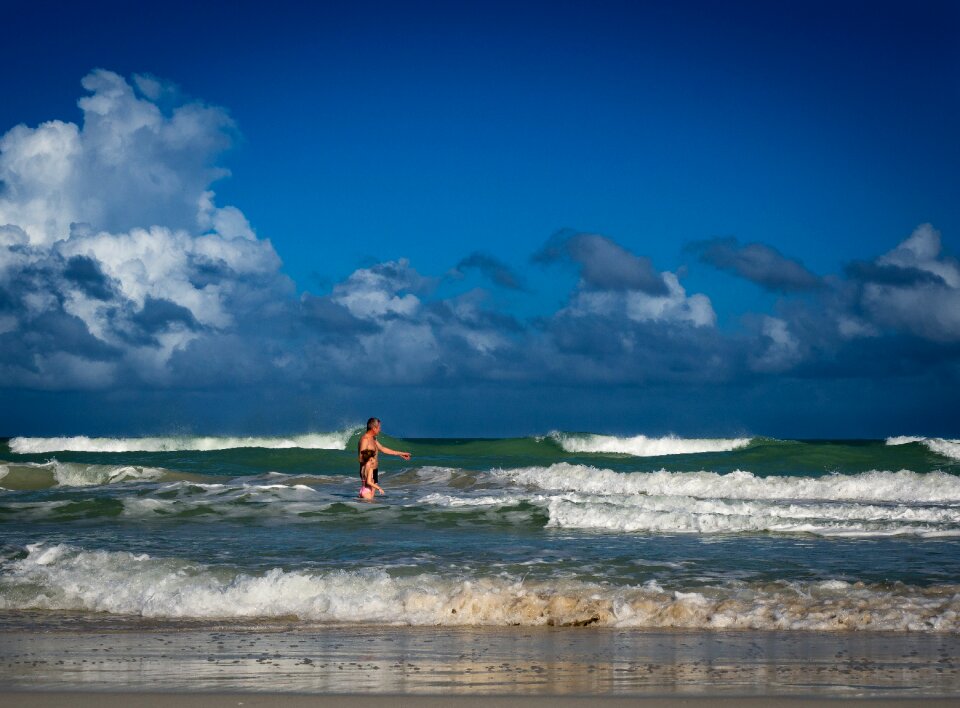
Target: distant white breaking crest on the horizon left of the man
<point x="311" y="441"/>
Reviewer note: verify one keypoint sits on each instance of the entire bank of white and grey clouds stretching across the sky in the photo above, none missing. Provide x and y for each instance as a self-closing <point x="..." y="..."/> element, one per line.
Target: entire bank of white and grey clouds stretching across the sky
<point x="118" y="269"/>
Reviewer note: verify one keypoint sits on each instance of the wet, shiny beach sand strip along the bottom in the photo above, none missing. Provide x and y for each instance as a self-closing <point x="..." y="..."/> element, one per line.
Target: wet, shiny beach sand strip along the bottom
<point x="373" y="666"/>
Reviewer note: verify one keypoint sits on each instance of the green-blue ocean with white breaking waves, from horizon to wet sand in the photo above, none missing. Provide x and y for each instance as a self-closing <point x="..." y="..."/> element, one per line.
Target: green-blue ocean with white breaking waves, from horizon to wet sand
<point x="564" y="529"/>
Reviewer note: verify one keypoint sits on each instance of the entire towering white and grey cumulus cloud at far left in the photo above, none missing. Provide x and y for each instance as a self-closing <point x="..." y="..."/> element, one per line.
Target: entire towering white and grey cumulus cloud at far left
<point x="113" y="252"/>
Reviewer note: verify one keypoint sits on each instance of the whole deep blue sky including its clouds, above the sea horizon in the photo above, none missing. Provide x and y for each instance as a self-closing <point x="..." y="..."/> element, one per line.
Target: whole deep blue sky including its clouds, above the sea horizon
<point x="479" y="219"/>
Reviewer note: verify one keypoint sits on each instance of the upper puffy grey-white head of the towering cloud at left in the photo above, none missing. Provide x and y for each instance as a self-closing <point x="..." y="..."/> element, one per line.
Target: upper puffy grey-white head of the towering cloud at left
<point x="129" y="164"/>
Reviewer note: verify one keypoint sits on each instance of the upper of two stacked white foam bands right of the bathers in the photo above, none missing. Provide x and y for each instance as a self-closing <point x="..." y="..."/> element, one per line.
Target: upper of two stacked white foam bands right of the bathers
<point x="895" y="487"/>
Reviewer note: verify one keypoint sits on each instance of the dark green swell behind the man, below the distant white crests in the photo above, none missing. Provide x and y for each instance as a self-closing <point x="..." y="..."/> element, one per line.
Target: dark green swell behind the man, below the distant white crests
<point x="762" y="456"/>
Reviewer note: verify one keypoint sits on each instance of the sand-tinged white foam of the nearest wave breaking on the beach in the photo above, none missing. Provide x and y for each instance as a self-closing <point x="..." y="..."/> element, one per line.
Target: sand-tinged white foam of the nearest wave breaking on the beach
<point x="67" y="578"/>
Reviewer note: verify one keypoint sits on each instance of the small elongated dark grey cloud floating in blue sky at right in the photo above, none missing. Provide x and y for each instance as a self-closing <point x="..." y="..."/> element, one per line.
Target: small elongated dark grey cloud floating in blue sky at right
<point x="757" y="262"/>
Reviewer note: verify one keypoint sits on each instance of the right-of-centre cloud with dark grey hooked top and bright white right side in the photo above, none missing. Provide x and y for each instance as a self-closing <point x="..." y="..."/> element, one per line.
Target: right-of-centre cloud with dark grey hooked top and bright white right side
<point x="625" y="321"/>
